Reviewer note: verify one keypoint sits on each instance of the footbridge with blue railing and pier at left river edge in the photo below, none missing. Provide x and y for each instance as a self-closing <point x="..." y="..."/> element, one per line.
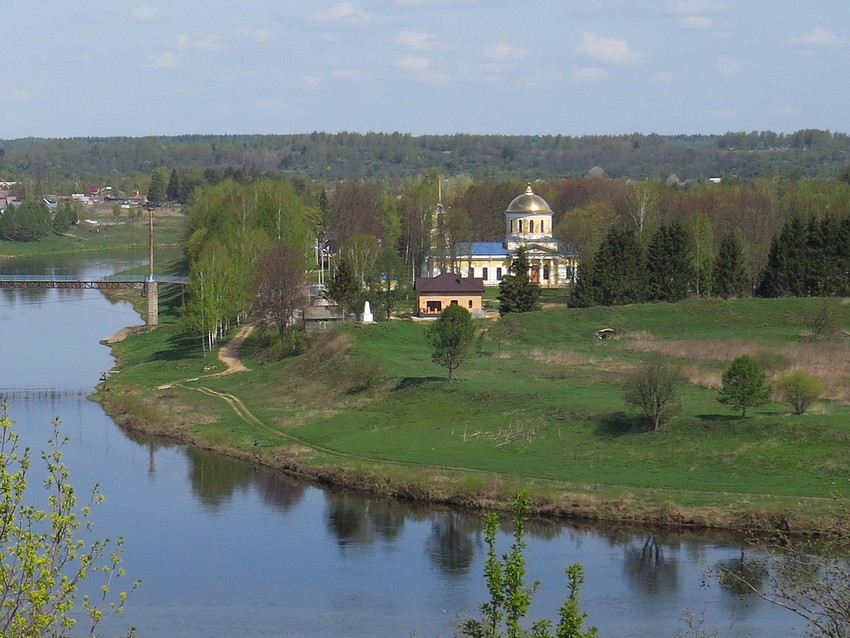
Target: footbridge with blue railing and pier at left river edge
<point x="148" y="283"/>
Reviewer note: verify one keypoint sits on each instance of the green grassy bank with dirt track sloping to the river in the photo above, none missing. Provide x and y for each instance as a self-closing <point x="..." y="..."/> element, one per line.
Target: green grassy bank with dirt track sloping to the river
<point x="540" y="409"/>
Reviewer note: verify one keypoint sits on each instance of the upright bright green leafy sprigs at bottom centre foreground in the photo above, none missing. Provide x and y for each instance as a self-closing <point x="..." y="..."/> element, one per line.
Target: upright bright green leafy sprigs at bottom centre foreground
<point x="510" y="596"/>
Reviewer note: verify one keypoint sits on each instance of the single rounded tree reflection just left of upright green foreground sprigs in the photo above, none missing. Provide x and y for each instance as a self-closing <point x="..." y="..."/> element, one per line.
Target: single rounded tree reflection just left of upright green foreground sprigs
<point x="451" y="545"/>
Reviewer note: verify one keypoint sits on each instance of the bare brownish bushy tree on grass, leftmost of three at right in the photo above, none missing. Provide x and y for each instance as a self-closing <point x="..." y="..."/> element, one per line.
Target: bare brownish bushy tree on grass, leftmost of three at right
<point x="653" y="388"/>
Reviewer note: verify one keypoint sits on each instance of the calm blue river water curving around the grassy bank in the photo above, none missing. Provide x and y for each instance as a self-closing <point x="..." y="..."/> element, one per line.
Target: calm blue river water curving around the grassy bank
<point x="225" y="549"/>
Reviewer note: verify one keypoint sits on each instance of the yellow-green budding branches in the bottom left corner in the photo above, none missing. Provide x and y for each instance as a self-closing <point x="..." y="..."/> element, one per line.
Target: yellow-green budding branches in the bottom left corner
<point x="44" y="558"/>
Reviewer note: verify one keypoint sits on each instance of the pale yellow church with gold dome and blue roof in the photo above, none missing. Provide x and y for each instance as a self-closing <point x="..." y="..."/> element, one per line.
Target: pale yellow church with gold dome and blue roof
<point x="528" y="224"/>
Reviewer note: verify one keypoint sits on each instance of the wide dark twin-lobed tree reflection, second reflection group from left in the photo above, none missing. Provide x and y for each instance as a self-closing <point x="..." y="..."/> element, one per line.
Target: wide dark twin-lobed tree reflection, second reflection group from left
<point x="355" y="520"/>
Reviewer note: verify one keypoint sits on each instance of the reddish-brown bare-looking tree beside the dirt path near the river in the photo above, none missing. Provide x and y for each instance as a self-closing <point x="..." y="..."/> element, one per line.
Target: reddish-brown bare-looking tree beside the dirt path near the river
<point x="281" y="285"/>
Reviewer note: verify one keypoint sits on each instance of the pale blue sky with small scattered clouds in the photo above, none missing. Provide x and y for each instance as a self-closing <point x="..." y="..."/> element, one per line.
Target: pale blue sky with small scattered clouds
<point x="80" y="68"/>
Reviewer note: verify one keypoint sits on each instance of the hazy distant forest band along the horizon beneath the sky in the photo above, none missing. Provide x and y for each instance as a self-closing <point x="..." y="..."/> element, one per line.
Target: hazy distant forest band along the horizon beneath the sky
<point x="376" y="157"/>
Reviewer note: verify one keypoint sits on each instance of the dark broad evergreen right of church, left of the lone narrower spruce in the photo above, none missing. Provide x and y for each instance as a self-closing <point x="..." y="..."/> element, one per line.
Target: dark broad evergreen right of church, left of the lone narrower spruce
<point x="668" y="263"/>
